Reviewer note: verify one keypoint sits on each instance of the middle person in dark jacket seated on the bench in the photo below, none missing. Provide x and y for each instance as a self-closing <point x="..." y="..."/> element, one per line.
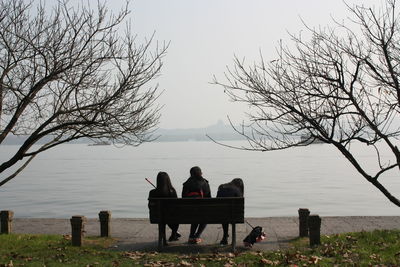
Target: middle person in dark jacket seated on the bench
<point x="196" y="187"/>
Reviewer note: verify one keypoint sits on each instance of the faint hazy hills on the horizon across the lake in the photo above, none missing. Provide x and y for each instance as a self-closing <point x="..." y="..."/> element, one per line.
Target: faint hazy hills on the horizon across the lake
<point x="218" y="131"/>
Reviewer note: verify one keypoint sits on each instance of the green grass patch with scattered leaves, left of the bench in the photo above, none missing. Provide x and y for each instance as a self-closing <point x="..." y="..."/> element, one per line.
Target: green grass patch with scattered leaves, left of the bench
<point x="55" y="250"/>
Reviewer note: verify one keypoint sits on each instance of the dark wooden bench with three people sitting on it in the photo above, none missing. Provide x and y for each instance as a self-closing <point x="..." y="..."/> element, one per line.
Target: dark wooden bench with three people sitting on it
<point x="228" y="210"/>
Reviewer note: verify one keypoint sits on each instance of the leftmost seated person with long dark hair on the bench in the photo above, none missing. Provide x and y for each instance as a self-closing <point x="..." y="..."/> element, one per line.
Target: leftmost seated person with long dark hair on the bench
<point x="163" y="189"/>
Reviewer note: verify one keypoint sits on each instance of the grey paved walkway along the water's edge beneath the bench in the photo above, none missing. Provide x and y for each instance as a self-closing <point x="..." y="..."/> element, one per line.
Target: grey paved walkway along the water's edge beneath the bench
<point x="139" y="234"/>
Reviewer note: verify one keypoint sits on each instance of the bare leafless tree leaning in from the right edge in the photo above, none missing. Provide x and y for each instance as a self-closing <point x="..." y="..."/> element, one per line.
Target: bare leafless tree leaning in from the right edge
<point x="339" y="86"/>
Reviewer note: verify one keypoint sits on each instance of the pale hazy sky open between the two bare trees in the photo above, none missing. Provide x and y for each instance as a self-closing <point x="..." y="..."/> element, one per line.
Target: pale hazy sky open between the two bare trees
<point x="205" y="34"/>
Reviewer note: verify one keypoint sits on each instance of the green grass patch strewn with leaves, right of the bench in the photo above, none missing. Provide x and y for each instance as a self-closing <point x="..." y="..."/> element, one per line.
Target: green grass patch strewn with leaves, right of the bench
<point x="380" y="247"/>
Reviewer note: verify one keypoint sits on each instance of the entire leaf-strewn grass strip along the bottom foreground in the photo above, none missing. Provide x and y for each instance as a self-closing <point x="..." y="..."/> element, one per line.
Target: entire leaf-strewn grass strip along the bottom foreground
<point x="378" y="248"/>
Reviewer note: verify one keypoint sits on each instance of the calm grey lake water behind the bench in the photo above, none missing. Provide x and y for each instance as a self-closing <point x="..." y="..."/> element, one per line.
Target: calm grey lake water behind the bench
<point x="81" y="179"/>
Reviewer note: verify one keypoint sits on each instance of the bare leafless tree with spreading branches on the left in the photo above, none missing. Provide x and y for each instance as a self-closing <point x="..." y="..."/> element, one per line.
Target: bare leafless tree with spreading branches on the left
<point x="72" y="73"/>
